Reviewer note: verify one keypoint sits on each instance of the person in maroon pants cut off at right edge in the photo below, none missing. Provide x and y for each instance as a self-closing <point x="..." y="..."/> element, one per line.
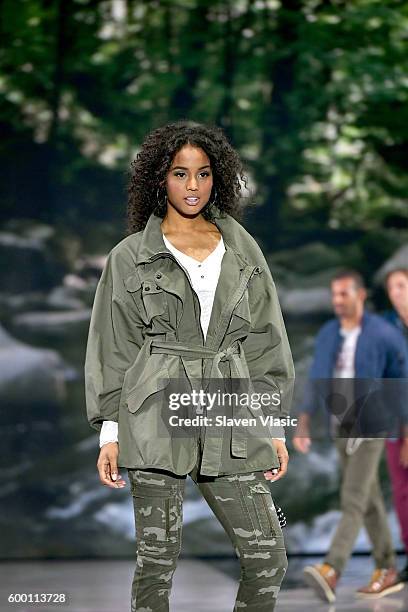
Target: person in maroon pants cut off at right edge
<point x="396" y="284"/>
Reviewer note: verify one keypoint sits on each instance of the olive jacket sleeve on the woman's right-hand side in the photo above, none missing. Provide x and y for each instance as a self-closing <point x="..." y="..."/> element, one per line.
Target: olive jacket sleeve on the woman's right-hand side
<point x="267" y="349"/>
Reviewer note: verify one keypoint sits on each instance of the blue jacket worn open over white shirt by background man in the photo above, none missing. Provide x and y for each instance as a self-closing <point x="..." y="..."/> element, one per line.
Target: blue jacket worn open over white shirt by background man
<point x="381" y="352"/>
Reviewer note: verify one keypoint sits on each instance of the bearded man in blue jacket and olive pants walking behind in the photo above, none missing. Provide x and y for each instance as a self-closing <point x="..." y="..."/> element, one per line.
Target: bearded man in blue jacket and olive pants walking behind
<point x="355" y="344"/>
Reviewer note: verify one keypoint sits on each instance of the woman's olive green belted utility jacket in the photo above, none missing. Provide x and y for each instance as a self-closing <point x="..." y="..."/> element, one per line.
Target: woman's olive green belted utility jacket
<point x="145" y="330"/>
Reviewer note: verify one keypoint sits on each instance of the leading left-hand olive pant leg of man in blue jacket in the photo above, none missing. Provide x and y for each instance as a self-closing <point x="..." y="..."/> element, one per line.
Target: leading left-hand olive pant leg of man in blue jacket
<point x="359" y="472"/>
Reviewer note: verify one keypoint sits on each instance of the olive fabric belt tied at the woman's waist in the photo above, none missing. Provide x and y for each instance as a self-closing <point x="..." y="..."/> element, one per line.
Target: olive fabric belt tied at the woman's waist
<point x="231" y="354"/>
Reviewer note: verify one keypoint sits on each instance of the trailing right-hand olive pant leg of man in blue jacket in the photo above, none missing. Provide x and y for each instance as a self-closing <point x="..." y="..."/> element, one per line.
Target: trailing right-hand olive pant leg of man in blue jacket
<point x="376" y="524"/>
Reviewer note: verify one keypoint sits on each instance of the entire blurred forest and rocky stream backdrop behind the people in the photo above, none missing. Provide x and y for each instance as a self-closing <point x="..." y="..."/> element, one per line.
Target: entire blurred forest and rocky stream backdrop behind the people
<point x="313" y="94"/>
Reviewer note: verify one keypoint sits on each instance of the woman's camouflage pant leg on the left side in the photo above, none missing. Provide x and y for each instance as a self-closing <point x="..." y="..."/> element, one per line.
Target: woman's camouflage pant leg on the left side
<point x="158" y="505"/>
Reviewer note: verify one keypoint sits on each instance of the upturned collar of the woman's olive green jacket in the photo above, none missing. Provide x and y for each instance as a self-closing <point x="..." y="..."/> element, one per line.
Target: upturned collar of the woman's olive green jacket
<point x="152" y="238"/>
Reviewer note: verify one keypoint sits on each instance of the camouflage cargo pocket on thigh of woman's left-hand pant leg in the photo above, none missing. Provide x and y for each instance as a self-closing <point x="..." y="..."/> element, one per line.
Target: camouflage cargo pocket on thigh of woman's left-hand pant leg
<point x="158" y="515"/>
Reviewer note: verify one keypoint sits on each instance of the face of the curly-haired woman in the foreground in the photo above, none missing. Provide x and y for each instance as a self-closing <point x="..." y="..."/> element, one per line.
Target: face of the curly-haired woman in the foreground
<point x="189" y="180"/>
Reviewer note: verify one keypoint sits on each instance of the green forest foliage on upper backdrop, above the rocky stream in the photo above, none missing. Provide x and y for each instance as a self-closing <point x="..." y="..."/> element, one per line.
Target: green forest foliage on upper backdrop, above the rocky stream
<point x="312" y="92"/>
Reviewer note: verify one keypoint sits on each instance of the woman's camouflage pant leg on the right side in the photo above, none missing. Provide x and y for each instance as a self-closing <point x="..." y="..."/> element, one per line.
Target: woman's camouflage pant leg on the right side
<point x="243" y="504"/>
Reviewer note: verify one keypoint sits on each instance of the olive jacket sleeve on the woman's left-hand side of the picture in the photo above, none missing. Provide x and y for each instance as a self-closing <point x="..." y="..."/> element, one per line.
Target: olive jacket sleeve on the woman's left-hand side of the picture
<point x="114" y="340"/>
